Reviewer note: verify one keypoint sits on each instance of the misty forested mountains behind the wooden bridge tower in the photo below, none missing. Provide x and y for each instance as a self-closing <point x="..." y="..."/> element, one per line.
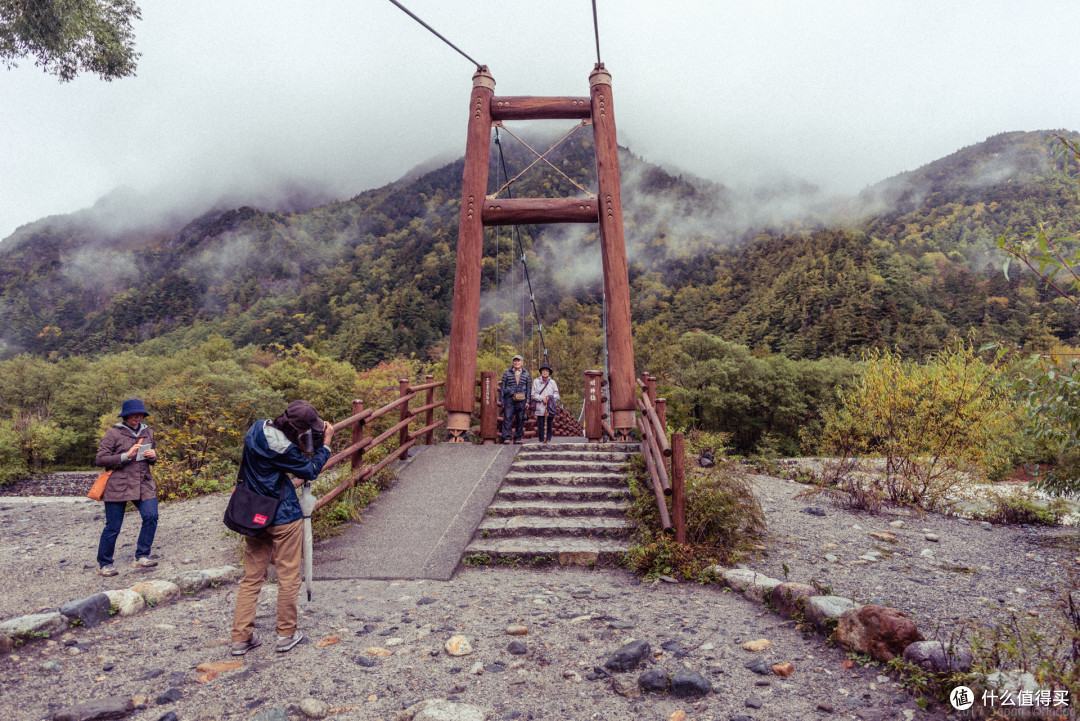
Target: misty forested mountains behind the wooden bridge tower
<point x="910" y="263"/>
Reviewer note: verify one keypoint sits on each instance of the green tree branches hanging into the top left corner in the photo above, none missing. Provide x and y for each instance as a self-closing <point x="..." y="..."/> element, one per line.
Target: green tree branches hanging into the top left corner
<point x="69" y="37"/>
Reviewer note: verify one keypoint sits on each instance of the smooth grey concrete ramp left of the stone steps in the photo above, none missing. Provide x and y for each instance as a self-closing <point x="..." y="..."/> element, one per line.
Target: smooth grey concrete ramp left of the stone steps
<point x="421" y="526"/>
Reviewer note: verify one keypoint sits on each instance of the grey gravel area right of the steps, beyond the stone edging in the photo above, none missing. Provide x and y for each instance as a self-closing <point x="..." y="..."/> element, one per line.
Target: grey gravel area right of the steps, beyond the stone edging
<point x="976" y="572"/>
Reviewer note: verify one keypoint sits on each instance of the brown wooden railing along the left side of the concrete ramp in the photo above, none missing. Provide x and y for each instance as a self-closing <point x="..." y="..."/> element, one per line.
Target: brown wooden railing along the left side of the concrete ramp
<point x="359" y="442"/>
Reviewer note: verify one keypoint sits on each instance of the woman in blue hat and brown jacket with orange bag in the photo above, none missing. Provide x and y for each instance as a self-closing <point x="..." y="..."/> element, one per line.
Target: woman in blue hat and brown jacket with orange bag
<point x="128" y="451"/>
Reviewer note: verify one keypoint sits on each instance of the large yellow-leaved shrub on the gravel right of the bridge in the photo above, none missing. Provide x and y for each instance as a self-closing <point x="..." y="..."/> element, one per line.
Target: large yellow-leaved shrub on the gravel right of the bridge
<point x="931" y="427"/>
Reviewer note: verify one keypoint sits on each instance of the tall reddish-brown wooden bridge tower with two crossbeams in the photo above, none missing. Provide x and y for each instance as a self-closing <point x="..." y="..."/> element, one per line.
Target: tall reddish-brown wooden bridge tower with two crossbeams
<point x="479" y="211"/>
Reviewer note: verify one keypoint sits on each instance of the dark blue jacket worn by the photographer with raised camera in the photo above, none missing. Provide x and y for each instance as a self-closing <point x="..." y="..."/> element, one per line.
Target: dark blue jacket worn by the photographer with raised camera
<point x="268" y="458"/>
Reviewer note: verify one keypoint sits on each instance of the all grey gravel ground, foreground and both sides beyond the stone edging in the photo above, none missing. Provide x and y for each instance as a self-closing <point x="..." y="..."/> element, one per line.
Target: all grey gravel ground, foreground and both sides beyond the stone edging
<point x="577" y="618"/>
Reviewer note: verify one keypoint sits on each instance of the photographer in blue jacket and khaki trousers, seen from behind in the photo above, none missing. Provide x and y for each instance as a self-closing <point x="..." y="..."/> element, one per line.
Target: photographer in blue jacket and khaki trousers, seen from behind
<point x="295" y="443"/>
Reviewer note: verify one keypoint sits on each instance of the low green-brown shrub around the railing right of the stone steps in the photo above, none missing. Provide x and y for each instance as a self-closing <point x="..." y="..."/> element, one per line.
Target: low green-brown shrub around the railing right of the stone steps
<point x="724" y="519"/>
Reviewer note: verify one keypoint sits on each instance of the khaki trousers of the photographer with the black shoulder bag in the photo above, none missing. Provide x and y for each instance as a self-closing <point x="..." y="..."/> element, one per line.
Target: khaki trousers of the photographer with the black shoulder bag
<point x="287" y="543"/>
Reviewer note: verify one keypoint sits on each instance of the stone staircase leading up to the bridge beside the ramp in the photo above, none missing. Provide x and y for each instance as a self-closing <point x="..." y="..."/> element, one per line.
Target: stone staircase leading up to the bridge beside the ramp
<point x="564" y="502"/>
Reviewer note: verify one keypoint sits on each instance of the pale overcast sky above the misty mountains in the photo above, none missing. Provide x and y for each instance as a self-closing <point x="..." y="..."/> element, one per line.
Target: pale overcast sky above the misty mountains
<point x="237" y="96"/>
